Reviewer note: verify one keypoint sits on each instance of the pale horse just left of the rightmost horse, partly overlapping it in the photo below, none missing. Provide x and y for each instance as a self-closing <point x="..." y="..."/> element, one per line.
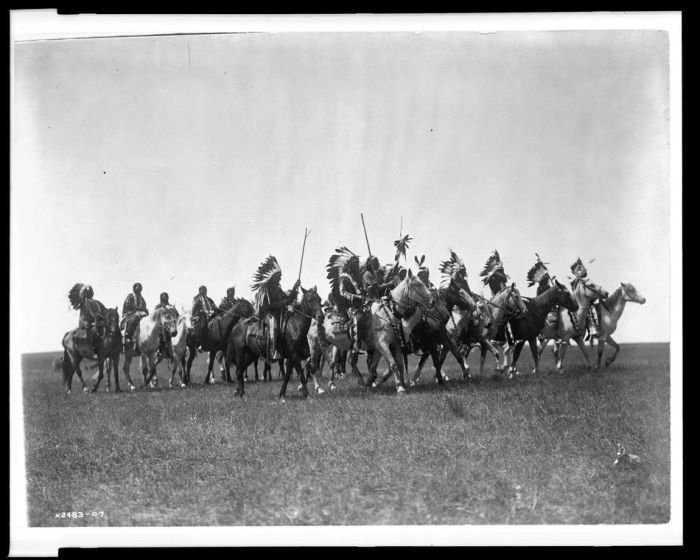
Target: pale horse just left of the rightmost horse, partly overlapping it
<point x="568" y="326"/>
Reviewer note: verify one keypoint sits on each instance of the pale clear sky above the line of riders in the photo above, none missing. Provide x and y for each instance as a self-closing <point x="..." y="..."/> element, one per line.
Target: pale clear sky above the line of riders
<point x="177" y="161"/>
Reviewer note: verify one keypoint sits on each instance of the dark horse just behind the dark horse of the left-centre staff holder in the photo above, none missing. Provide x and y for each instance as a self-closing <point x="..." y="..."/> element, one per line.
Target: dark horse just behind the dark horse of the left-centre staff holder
<point x="212" y="336"/>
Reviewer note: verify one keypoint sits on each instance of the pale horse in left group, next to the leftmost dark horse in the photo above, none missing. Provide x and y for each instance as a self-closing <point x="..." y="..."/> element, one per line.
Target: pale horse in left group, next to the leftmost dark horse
<point x="148" y="334"/>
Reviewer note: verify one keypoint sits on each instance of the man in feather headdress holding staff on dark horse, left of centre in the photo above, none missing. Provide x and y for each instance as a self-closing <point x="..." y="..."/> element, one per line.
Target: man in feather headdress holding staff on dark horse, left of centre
<point x="271" y="300"/>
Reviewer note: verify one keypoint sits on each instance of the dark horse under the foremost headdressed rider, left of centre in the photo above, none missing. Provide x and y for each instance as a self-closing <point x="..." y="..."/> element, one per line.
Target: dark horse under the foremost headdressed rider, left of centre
<point x="247" y="341"/>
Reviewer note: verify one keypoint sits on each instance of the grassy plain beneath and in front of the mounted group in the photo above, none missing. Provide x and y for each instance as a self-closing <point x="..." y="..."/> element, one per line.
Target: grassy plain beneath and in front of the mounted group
<point x="531" y="450"/>
